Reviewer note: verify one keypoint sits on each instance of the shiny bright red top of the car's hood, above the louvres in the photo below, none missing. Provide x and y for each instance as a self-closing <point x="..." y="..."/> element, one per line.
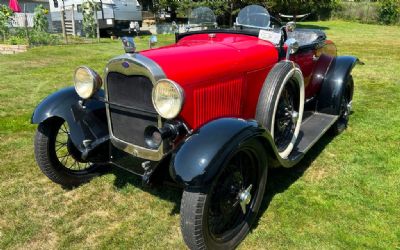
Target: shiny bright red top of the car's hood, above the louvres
<point x="199" y="58"/>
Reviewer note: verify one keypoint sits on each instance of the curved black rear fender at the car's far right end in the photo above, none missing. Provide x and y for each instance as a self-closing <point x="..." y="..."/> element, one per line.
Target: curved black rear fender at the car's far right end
<point x="334" y="84"/>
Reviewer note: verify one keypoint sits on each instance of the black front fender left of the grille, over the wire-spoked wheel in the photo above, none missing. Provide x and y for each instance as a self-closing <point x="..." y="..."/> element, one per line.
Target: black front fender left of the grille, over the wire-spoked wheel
<point x="86" y="120"/>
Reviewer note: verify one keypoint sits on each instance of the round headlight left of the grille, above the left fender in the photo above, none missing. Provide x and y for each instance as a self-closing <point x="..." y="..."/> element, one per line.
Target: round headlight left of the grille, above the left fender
<point x="87" y="82"/>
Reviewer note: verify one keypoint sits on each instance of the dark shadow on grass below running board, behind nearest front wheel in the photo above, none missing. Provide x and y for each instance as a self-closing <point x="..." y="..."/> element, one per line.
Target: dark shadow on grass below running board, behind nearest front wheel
<point x="280" y="179"/>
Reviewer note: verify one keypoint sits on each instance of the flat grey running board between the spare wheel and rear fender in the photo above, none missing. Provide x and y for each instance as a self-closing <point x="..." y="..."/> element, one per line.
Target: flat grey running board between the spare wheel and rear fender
<point x="311" y="130"/>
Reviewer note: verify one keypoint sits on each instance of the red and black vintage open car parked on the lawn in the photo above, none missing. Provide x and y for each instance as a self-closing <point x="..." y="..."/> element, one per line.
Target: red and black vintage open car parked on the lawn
<point x="212" y="113"/>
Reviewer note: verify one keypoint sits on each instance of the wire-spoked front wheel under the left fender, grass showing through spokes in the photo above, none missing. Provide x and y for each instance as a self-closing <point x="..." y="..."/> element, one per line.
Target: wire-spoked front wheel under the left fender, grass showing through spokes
<point x="66" y="171"/>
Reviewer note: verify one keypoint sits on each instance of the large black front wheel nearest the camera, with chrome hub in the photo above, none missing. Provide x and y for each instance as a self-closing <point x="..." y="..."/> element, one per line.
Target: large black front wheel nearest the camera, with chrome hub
<point x="202" y="210"/>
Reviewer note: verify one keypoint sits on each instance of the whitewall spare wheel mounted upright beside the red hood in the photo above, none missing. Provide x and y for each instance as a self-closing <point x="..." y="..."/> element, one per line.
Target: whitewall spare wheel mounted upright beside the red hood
<point x="281" y="104"/>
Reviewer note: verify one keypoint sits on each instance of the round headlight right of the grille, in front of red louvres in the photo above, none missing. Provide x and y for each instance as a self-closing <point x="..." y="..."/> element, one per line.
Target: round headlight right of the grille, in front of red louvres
<point x="167" y="98"/>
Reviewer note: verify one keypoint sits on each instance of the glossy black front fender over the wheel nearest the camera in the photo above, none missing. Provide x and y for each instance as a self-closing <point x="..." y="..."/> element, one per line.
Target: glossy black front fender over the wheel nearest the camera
<point x="198" y="160"/>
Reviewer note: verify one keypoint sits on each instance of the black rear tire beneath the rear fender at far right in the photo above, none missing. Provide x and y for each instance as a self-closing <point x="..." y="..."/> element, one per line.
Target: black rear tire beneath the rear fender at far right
<point x="345" y="108"/>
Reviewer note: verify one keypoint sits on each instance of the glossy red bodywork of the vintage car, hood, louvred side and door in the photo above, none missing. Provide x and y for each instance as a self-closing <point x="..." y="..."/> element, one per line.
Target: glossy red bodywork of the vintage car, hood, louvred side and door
<point x="222" y="75"/>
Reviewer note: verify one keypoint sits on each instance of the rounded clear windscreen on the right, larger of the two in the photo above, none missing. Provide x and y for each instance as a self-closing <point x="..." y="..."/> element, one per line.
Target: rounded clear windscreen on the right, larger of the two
<point x="253" y="16"/>
